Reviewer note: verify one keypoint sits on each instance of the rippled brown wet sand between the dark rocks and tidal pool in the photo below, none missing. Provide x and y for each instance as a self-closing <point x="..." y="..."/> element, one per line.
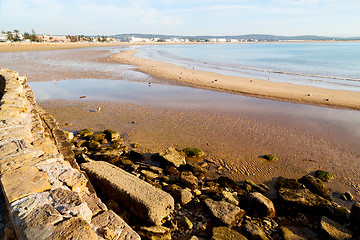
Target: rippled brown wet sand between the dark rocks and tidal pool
<point x="237" y="139"/>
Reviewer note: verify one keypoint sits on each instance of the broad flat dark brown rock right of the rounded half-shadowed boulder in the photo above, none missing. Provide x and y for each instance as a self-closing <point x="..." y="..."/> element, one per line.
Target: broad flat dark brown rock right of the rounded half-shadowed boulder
<point x="304" y="200"/>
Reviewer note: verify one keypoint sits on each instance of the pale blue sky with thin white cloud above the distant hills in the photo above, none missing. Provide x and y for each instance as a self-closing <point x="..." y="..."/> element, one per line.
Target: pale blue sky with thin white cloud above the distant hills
<point x="339" y="18"/>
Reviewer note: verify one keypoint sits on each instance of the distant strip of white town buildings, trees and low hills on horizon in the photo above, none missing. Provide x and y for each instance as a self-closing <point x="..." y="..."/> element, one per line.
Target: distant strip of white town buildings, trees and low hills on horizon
<point x="16" y="36"/>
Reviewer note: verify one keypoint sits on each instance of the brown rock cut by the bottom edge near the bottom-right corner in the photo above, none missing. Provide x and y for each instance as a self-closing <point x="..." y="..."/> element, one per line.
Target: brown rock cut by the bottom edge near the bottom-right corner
<point x="334" y="229"/>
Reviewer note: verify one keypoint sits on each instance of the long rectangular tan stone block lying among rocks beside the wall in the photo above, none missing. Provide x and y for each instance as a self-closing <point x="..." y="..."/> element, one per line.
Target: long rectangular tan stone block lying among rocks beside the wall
<point x="142" y="199"/>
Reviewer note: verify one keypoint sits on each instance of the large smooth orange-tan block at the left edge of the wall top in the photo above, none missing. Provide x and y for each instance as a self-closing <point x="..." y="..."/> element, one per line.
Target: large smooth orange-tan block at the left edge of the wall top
<point x="23" y="182"/>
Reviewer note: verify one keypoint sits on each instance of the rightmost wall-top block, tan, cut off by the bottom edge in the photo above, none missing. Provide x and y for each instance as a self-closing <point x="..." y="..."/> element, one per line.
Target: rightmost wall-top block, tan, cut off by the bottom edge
<point x="111" y="226"/>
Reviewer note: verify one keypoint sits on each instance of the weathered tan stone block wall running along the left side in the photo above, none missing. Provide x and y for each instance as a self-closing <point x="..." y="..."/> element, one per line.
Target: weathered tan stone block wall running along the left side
<point x="46" y="194"/>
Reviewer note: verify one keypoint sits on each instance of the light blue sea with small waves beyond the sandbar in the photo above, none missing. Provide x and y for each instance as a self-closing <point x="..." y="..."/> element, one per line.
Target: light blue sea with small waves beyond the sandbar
<point x="333" y="65"/>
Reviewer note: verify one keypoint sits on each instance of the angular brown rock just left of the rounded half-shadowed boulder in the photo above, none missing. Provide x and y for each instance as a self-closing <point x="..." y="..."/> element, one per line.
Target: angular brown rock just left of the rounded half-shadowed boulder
<point x="225" y="212"/>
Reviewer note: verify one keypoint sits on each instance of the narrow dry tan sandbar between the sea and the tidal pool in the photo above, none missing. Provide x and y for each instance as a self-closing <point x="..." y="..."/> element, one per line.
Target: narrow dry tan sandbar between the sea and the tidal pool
<point x="242" y="85"/>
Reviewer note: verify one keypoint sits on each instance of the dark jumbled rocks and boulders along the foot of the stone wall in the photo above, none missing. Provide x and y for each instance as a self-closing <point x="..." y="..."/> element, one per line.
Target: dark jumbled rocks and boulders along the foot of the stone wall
<point x="194" y="204"/>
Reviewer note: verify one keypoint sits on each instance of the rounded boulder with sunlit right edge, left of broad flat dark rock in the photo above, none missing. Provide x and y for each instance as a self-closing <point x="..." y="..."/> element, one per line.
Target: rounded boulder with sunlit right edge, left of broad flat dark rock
<point x="263" y="206"/>
